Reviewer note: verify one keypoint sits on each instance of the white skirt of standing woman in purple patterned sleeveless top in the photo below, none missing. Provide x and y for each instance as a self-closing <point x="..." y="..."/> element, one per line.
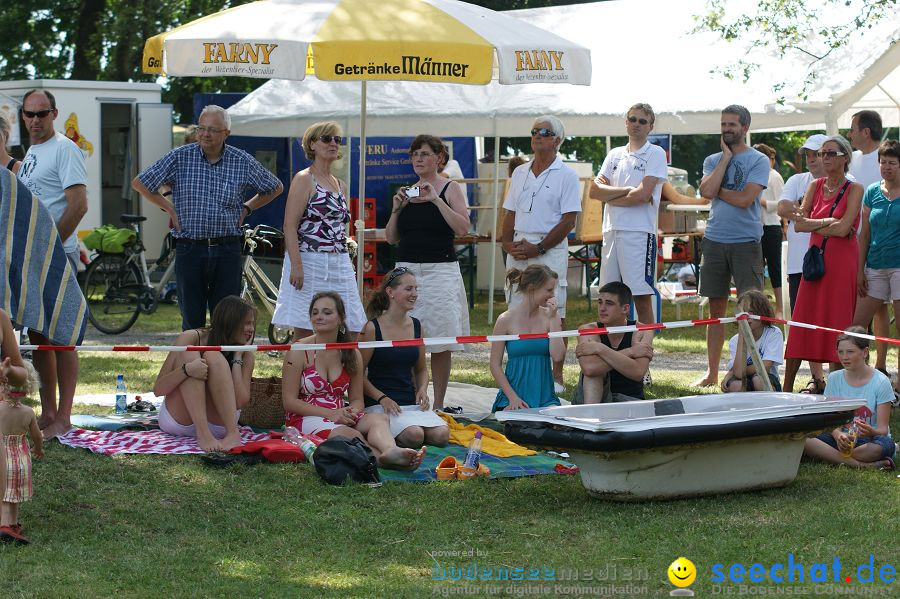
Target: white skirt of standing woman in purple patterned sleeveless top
<point x="322" y="271"/>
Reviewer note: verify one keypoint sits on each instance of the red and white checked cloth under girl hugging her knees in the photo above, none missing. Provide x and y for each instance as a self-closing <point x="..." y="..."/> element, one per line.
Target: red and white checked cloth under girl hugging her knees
<point x="156" y="441"/>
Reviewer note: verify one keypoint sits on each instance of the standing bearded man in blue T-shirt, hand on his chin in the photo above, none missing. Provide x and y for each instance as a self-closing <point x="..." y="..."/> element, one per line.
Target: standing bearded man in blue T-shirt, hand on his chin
<point x="733" y="180"/>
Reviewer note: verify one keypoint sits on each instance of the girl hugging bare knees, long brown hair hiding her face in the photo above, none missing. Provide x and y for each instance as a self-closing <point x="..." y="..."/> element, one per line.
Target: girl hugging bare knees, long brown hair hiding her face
<point x="205" y="390"/>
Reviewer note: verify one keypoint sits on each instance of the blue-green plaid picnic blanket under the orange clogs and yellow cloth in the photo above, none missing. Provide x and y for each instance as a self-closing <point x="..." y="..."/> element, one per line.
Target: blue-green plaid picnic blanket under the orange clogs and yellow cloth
<point x="509" y="467"/>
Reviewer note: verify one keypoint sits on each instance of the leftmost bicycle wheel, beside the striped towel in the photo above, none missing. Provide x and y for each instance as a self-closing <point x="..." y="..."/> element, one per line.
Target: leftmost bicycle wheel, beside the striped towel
<point x="112" y="288"/>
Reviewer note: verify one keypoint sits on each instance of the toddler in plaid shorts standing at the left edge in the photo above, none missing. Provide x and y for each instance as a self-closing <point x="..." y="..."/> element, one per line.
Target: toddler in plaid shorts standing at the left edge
<point x="16" y="422"/>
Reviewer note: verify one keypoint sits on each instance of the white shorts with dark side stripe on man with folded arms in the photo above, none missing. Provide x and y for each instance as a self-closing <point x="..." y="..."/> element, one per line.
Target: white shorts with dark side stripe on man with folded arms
<point x="629" y="257"/>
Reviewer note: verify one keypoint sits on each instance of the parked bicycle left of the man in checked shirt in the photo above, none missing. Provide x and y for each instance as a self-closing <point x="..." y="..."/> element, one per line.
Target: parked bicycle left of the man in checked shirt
<point x="118" y="287"/>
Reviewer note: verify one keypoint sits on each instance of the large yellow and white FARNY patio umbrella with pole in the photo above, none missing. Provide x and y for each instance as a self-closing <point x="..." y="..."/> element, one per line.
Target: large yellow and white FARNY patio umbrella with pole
<point x="366" y="40"/>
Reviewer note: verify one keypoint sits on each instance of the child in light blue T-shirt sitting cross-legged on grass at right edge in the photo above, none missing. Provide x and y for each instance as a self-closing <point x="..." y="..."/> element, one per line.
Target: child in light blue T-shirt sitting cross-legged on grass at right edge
<point x="874" y="447"/>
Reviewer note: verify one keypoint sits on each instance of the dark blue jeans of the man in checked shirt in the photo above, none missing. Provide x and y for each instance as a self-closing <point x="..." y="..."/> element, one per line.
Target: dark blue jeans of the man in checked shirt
<point x="204" y="275"/>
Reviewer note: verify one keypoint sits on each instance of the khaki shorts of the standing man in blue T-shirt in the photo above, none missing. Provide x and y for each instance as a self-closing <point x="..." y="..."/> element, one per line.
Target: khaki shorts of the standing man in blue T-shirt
<point x="722" y="262"/>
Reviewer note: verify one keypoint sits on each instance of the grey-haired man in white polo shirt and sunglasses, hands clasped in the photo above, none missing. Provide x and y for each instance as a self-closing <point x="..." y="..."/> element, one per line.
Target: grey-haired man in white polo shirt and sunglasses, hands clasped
<point x="542" y="202"/>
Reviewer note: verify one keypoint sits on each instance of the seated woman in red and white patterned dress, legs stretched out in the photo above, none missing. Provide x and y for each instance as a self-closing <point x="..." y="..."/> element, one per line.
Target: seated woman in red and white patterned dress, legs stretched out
<point x="314" y="384"/>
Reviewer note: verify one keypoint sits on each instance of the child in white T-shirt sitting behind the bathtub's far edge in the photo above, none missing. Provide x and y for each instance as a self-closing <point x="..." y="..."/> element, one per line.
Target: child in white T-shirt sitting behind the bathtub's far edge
<point x="769" y="342"/>
